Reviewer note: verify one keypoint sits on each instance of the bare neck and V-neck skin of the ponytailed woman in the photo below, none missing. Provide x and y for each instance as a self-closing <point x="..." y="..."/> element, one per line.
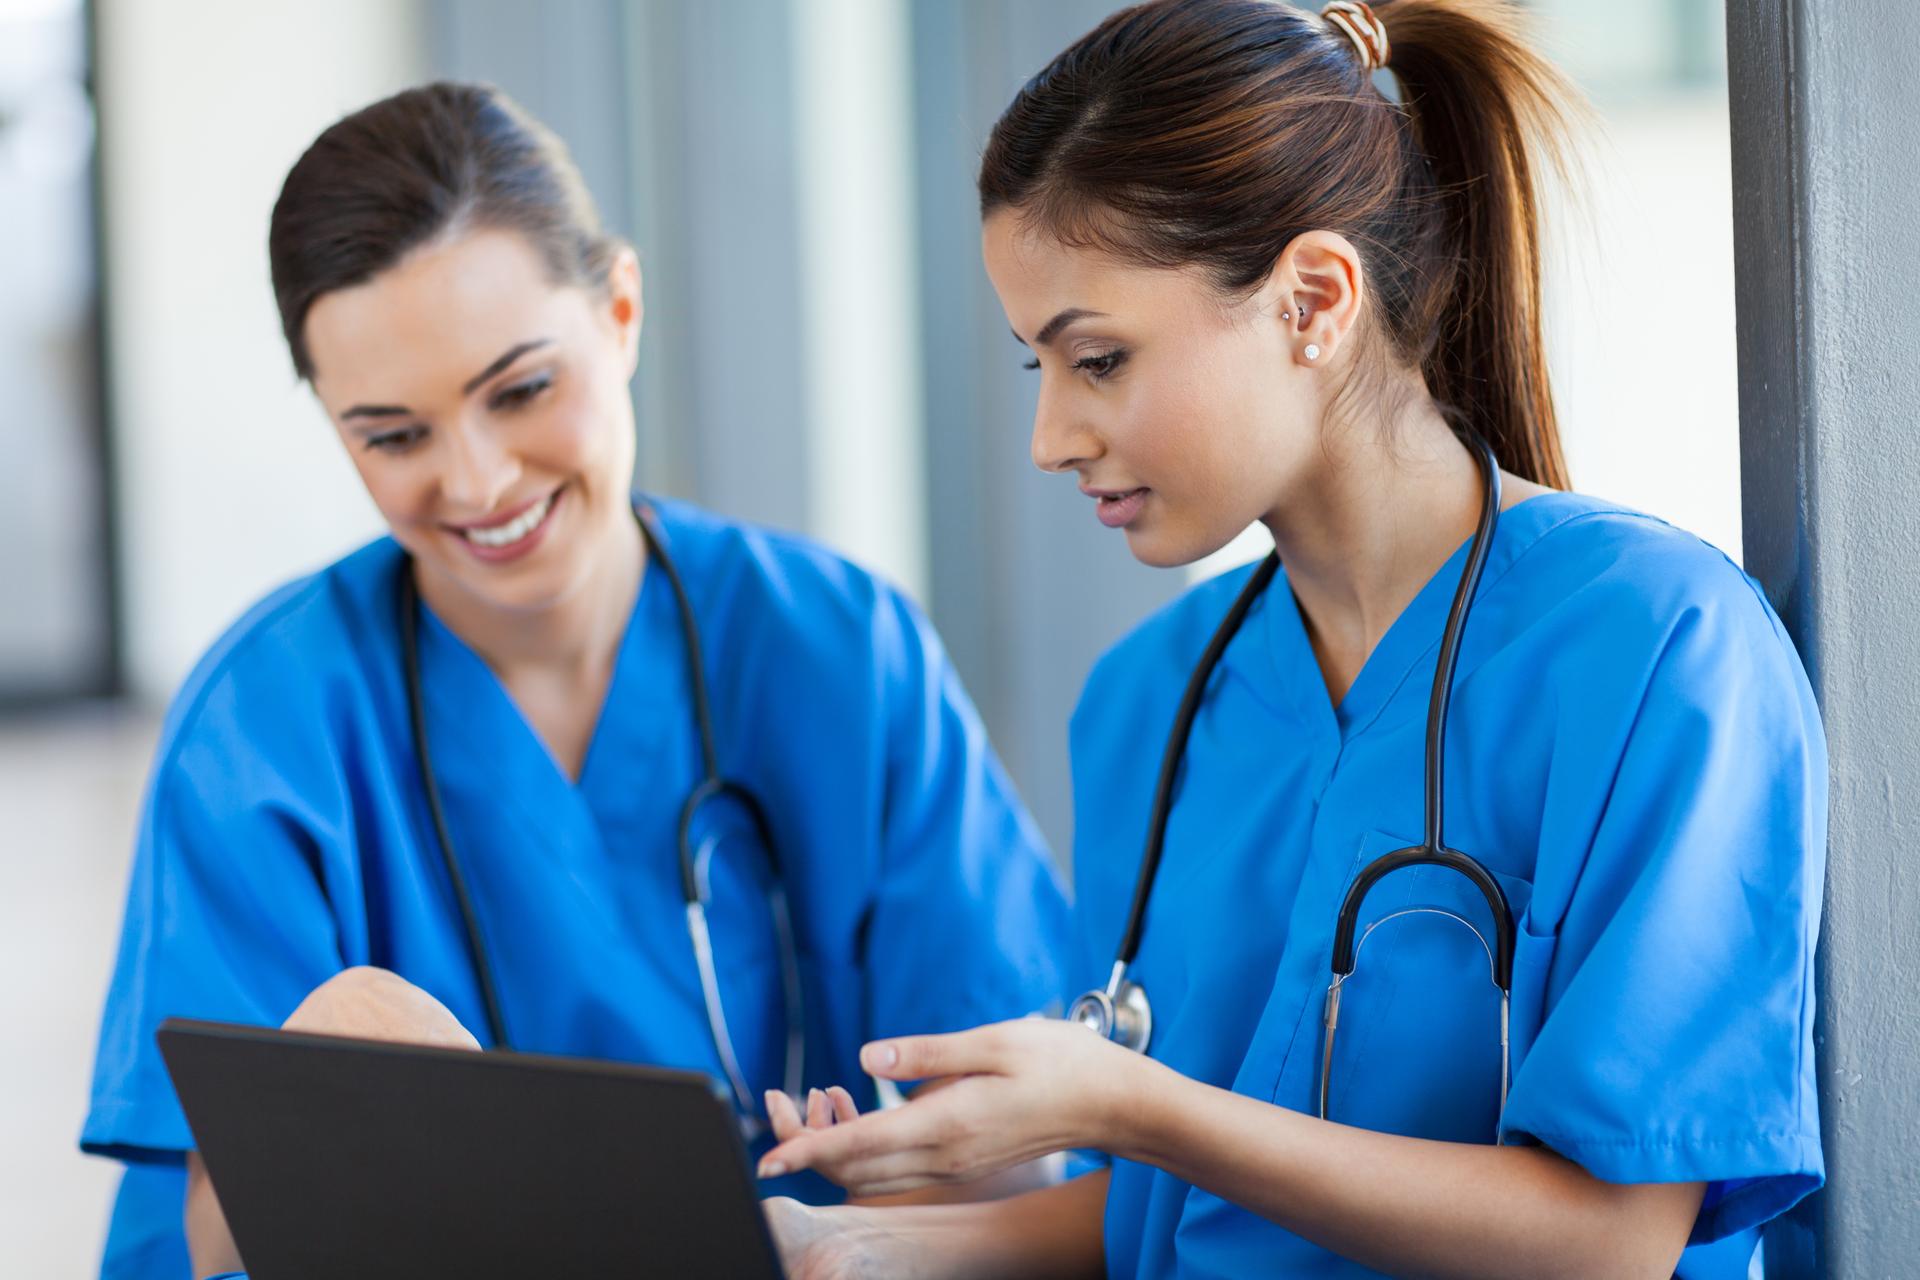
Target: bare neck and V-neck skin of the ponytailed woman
<point x="1366" y="531"/>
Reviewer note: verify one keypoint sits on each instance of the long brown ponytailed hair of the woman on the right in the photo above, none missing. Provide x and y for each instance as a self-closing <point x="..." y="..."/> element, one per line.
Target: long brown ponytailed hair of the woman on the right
<point x="1216" y="131"/>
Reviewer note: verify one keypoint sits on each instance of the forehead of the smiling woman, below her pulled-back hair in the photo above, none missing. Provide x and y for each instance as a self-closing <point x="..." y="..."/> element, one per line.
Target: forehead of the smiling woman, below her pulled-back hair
<point x="435" y="318"/>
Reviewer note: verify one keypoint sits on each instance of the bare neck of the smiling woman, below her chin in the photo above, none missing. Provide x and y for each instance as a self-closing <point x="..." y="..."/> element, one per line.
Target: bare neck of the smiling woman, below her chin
<point x="575" y="638"/>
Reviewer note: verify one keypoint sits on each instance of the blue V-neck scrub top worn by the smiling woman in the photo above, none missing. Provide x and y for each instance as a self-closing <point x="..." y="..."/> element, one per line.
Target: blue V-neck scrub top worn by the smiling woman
<point x="287" y="836"/>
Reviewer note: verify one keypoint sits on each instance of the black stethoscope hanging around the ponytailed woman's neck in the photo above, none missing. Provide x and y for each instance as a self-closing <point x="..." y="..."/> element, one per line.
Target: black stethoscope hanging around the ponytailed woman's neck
<point x="1122" y="1012"/>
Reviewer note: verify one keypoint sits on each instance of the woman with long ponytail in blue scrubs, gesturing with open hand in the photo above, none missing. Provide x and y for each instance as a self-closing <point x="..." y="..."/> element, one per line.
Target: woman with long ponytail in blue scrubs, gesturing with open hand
<point x="1257" y="287"/>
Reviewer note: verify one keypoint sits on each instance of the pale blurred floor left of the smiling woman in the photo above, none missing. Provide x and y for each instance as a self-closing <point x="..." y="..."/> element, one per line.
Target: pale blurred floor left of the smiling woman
<point x="70" y="790"/>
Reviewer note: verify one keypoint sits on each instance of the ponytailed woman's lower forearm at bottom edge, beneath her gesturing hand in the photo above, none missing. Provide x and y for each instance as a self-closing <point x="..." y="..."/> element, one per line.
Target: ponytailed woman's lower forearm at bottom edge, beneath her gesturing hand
<point x="1055" y="1233"/>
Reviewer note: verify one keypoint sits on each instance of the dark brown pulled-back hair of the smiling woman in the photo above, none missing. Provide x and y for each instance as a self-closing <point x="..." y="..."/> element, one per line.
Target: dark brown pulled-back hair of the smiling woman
<point x="429" y="160"/>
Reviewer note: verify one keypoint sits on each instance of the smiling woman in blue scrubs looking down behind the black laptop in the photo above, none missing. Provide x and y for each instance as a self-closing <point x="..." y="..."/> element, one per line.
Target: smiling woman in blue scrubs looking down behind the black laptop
<point x="471" y="331"/>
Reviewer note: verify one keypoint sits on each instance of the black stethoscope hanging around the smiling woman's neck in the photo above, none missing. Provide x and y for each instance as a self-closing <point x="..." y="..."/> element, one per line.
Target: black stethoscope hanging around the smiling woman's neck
<point x="696" y="855"/>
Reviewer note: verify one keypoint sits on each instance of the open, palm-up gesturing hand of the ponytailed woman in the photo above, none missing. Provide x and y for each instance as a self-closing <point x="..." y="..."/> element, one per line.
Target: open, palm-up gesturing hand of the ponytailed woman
<point x="1001" y="1097"/>
